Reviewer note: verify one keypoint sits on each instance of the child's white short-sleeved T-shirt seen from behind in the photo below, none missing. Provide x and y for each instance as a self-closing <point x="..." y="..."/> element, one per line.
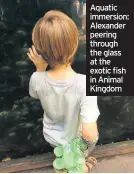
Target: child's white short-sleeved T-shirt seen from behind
<point x="65" y="106"/>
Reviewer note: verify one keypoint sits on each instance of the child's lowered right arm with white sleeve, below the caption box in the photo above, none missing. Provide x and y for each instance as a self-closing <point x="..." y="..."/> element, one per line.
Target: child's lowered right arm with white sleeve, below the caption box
<point x="89" y="113"/>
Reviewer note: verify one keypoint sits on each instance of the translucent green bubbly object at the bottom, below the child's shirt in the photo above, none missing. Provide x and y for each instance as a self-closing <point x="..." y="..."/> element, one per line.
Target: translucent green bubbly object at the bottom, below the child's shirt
<point x="71" y="156"/>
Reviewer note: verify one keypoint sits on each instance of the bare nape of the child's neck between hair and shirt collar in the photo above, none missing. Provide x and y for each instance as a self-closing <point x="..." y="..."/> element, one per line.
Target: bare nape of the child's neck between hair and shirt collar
<point x="61" y="73"/>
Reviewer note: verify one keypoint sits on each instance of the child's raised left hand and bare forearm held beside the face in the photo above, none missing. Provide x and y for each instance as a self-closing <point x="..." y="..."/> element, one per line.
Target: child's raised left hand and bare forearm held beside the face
<point x="37" y="59"/>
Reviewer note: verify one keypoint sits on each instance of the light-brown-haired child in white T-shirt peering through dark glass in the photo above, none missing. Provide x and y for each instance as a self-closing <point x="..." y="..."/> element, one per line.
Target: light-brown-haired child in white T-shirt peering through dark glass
<point x="61" y="91"/>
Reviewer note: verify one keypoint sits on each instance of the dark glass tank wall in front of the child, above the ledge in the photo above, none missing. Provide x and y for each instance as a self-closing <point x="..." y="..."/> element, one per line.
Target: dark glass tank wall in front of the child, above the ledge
<point x="20" y="115"/>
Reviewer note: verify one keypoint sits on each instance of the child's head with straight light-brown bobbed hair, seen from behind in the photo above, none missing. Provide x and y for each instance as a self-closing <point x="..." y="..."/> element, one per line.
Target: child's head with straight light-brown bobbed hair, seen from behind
<point x="55" y="36"/>
